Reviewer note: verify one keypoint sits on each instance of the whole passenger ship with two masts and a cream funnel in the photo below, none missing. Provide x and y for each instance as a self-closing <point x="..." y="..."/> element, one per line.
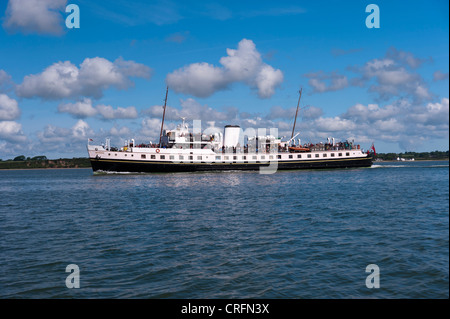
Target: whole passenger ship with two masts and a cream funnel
<point x="180" y="150"/>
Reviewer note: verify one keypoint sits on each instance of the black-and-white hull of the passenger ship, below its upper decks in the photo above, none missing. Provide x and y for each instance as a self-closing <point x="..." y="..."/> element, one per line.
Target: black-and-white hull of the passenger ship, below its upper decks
<point x="136" y="159"/>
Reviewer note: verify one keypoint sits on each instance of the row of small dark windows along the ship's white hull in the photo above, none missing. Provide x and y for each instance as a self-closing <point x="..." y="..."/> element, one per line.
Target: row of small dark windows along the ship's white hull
<point x="243" y="158"/>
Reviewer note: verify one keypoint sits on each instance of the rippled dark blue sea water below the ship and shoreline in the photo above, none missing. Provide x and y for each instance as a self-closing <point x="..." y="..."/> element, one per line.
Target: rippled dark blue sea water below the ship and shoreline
<point x="293" y="234"/>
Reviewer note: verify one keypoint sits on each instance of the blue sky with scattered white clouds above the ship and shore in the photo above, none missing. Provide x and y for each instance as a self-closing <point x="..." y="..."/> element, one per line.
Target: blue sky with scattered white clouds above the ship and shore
<point x="225" y="62"/>
